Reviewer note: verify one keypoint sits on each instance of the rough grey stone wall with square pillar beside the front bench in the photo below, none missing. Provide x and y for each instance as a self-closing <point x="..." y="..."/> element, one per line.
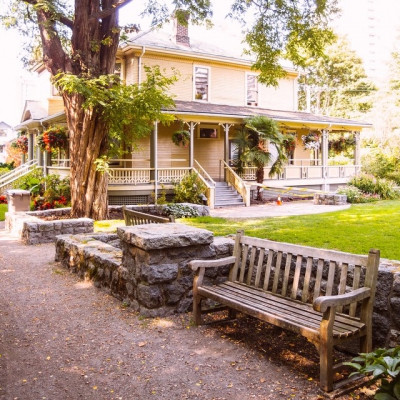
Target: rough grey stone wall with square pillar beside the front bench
<point x="150" y="271"/>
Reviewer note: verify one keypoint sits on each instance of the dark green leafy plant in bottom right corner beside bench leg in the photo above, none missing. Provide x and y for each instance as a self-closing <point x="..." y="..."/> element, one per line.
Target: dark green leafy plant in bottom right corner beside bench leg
<point x="383" y="365"/>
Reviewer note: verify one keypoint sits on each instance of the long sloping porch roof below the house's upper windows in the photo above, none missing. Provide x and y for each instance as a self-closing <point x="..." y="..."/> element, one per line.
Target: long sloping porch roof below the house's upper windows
<point x="289" y="119"/>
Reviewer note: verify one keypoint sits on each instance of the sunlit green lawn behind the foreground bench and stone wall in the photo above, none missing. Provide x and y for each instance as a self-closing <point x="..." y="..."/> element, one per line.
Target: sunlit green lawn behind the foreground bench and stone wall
<point x="355" y="230"/>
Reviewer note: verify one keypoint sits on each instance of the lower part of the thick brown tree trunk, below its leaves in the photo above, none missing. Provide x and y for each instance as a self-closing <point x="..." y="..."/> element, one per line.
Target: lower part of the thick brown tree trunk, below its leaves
<point x="88" y="142"/>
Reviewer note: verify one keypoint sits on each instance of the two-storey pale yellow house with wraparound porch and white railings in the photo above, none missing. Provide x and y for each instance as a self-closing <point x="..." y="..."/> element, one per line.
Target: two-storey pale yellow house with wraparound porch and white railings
<point x="216" y="90"/>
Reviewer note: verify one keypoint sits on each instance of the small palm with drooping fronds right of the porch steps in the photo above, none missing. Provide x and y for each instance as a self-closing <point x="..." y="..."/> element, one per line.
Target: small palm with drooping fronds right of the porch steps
<point x="254" y="141"/>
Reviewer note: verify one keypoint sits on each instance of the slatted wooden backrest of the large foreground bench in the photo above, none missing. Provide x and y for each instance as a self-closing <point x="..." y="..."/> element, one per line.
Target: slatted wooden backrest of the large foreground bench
<point x="301" y="272"/>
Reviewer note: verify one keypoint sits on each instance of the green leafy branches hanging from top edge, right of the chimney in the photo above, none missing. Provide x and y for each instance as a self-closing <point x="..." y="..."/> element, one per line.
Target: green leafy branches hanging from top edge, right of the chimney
<point x="294" y="30"/>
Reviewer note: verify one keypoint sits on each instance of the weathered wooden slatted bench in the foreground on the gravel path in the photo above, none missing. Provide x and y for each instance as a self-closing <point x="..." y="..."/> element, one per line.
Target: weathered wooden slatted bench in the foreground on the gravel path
<point x="326" y="296"/>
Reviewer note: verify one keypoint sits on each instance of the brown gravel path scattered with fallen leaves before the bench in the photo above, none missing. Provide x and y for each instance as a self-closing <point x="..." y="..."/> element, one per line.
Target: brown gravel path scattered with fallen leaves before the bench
<point x="61" y="338"/>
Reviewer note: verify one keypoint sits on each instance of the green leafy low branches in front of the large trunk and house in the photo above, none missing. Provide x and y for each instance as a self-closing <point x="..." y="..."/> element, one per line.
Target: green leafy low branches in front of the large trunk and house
<point x="129" y="110"/>
